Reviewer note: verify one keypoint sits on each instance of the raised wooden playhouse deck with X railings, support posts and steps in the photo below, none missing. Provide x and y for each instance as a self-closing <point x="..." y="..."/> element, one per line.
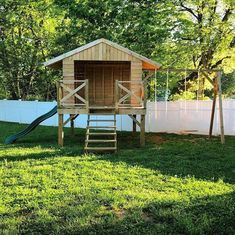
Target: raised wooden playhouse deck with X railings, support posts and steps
<point x="74" y="98"/>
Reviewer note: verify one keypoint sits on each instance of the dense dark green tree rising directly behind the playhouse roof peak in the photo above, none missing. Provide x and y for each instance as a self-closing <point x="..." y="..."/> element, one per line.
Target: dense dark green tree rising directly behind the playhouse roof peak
<point x="136" y="24"/>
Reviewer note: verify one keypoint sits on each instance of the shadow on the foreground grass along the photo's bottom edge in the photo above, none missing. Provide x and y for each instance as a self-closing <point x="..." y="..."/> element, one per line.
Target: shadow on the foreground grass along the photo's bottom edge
<point x="210" y="215"/>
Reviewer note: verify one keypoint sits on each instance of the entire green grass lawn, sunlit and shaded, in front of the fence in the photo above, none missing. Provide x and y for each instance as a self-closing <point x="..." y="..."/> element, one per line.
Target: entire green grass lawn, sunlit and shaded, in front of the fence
<point x="175" y="185"/>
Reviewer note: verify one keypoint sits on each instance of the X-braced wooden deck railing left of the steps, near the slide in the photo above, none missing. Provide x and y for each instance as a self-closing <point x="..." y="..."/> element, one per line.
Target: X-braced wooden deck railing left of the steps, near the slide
<point x="73" y="93"/>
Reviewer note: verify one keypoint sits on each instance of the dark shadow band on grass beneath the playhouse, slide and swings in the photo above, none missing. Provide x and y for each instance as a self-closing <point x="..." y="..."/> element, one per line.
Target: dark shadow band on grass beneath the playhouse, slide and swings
<point x="169" y="154"/>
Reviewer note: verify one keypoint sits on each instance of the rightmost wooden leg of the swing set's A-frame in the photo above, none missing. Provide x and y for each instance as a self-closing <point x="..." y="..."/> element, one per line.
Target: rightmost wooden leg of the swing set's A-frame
<point x="218" y="79"/>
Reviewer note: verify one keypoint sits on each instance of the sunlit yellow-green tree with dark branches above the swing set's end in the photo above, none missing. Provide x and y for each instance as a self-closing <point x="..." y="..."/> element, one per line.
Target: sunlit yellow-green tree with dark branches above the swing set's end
<point x="204" y="30"/>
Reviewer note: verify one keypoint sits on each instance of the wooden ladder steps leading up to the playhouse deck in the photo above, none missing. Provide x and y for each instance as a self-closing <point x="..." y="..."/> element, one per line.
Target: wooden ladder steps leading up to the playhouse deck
<point x="101" y="137"/>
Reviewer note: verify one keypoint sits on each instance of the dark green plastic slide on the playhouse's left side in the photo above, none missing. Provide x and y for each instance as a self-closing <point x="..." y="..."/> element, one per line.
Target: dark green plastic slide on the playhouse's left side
<point x="11" y="139"/>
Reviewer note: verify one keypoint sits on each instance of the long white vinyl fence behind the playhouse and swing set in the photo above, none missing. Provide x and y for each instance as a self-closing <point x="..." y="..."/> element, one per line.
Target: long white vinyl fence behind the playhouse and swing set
<point x="171" y="117"/>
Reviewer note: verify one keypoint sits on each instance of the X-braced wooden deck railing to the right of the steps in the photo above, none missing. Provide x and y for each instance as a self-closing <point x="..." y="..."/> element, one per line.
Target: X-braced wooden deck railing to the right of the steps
<point x="130" y="94"/>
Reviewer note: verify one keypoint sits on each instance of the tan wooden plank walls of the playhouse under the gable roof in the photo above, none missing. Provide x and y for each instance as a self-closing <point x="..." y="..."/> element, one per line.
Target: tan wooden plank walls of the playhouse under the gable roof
<point x="102" y="78"/>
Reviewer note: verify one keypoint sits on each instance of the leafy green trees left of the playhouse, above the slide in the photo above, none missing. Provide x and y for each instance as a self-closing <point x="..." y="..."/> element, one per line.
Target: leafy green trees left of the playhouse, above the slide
<point x="26" y="31"/>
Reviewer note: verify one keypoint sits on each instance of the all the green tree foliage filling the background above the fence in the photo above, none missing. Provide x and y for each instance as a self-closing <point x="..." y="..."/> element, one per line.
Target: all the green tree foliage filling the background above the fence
<point x="183" y="34"/>
